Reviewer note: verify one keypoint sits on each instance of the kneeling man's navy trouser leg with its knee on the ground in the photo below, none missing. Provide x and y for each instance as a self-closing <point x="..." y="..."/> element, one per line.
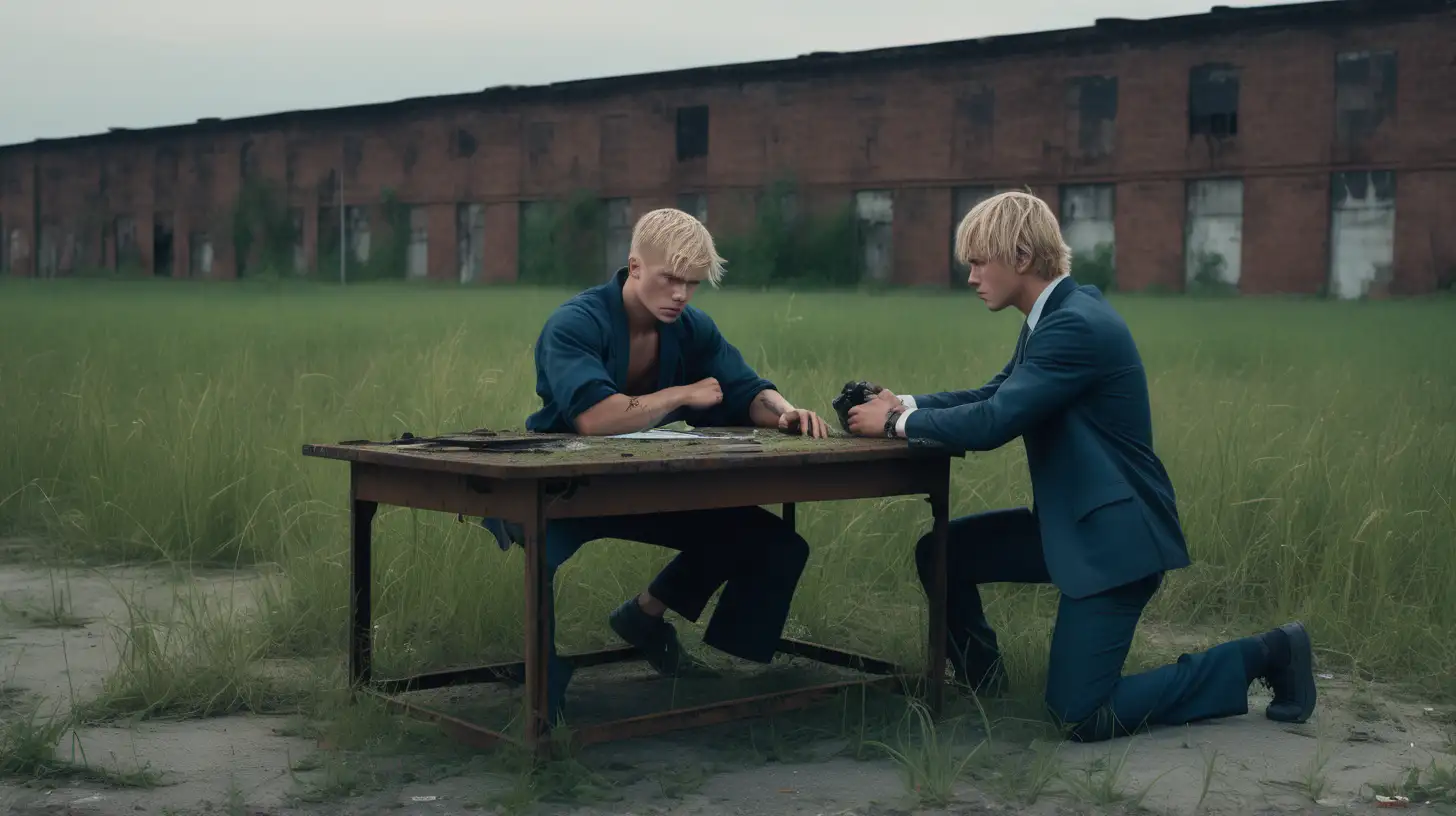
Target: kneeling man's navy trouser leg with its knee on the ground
<point x="1088" y="693"/>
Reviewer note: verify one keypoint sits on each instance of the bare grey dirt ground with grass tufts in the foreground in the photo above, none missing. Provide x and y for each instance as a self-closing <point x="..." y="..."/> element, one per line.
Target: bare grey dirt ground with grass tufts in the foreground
<point x="263" y="766"/>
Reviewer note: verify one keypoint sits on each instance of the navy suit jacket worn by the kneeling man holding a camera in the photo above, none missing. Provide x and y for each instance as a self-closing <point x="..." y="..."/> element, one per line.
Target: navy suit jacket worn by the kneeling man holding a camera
<point x="1075" y="391"/>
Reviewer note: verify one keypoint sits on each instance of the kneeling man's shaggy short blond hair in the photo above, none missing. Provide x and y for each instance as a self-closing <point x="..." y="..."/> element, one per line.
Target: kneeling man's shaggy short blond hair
<point x="1013" y="228"/>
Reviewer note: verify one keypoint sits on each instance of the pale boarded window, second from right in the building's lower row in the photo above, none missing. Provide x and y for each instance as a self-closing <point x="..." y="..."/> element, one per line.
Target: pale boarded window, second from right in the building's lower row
<point x="1214" y="241"/>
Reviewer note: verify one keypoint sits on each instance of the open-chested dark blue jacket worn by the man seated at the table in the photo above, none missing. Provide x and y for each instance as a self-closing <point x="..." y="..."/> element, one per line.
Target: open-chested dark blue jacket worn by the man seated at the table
<point x="583" y="353"/>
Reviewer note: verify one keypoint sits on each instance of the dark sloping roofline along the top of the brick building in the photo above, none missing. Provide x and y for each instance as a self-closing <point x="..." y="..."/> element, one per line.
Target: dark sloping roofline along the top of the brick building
<point x="1219" y="21"/>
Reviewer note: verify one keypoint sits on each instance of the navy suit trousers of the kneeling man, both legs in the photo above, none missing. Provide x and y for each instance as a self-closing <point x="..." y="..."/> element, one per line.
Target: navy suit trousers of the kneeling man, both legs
<point x="1087" y="691"/>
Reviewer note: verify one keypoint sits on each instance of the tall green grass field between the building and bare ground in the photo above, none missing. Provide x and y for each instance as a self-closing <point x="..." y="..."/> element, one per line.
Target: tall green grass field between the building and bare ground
<point x="1313" y="447"/>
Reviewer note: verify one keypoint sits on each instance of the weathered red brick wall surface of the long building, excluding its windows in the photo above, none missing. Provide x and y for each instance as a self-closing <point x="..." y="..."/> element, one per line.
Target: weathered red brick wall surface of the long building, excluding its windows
<point x="919" y="132"/>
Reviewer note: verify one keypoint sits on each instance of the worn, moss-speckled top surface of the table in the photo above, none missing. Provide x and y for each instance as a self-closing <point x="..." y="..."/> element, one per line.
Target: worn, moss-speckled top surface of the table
<point x="522" y="455"/>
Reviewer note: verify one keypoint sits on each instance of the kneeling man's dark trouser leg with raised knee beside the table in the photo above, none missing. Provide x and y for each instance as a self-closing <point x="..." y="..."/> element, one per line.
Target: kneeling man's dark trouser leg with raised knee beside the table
<point x="995" y="547"/>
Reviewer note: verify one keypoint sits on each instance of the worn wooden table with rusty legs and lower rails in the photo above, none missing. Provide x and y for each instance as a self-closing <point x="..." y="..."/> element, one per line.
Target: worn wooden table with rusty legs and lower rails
<point x="534" y="479"/>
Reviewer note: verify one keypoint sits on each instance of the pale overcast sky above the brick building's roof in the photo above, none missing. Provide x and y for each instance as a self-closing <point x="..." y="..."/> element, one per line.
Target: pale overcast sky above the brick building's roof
<point x="81" y="66"/>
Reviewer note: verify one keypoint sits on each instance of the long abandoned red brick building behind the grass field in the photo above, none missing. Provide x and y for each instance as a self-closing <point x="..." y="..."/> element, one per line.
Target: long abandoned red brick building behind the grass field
<point x="1282" y="149"/>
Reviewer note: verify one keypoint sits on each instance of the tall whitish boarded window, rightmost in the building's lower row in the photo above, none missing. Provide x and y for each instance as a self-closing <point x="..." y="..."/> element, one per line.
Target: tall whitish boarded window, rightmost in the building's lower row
<point x="1362" y="232"/>
